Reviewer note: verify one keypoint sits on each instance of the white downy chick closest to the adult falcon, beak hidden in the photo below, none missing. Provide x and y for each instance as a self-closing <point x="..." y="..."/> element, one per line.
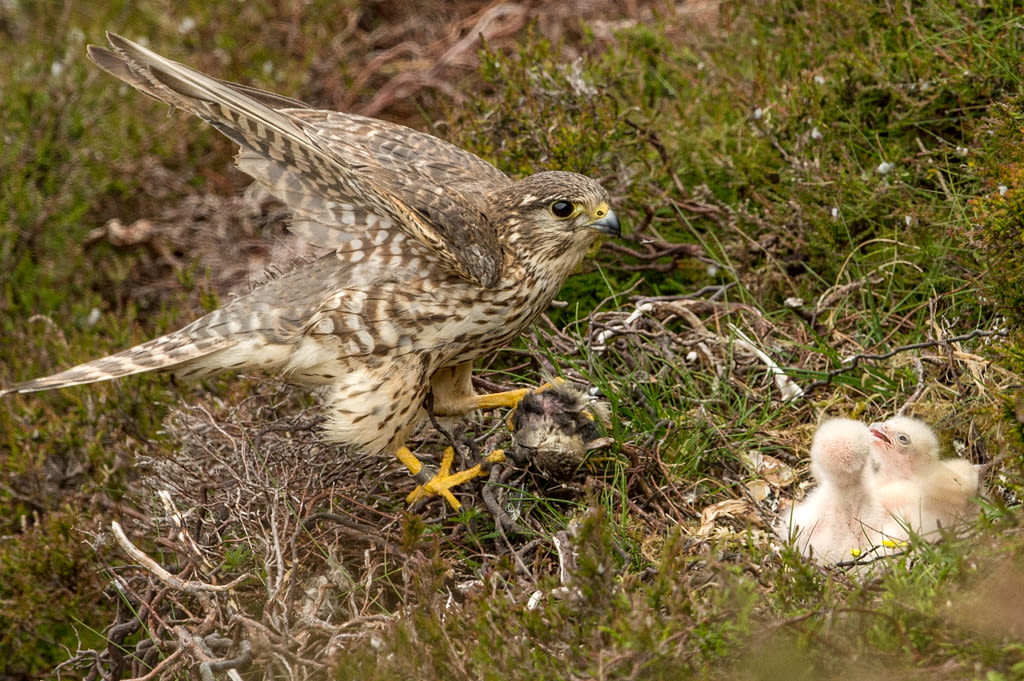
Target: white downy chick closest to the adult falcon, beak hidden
<point x="841" y="518"/>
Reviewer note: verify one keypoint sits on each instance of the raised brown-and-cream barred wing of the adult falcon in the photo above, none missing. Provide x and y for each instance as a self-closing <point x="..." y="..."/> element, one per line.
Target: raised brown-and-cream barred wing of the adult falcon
<point x="339" y="174"/>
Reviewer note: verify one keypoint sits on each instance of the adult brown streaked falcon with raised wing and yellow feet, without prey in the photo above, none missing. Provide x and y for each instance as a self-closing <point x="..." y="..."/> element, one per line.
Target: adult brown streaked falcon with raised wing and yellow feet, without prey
<point x="438" y="260"/>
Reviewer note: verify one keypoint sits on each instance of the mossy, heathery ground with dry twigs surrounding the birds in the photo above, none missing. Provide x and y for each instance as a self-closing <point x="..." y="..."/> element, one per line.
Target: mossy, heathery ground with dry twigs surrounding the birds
<point x="819" y="181"/>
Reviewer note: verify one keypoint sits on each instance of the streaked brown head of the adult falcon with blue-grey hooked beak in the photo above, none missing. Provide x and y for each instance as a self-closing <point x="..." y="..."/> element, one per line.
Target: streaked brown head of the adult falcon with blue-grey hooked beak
<point x="549" y="221"/>
